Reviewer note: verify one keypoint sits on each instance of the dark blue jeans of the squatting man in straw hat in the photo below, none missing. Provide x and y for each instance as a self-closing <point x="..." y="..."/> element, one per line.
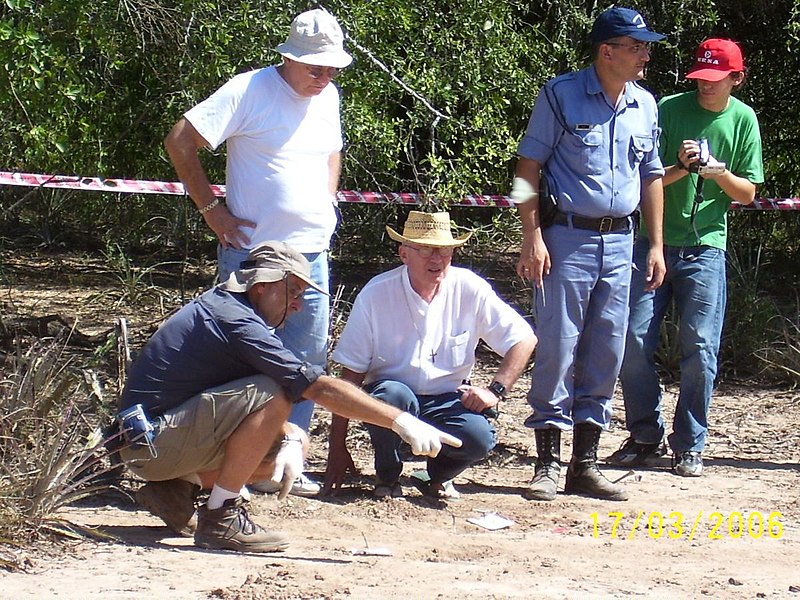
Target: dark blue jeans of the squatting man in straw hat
<point x="443" y="411"/>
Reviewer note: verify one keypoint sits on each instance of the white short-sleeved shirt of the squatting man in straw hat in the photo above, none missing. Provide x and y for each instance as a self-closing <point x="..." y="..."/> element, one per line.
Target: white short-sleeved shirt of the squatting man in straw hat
<point x="392" y="333"/>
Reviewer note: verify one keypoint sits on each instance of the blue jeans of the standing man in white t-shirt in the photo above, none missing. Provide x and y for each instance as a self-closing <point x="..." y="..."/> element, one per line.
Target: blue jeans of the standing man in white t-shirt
<point x="305" y="333"/>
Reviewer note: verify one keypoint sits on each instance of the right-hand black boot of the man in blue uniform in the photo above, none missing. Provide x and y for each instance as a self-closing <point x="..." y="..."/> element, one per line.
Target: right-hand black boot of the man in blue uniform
<point x="583" y="476"/>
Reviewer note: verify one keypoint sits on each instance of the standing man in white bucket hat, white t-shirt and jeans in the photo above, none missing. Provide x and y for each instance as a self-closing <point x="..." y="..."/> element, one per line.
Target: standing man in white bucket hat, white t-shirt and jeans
<point x="282" y="128"/>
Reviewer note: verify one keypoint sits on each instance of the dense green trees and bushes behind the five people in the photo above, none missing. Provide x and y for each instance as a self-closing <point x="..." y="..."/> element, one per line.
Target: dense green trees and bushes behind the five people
<point x="435" y="103"/>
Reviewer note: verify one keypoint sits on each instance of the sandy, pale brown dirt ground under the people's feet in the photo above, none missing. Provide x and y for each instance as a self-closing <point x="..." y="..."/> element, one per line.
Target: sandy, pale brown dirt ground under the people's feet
<point x="733" y="533"/>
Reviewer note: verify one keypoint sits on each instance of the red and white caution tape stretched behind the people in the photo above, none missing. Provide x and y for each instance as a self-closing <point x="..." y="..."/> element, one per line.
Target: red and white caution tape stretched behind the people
<point x="136" y="186"/>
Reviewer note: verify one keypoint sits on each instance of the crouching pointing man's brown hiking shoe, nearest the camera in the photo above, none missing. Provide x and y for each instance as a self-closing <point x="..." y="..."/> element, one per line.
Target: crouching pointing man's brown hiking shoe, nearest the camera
<point x="230" y="528"/>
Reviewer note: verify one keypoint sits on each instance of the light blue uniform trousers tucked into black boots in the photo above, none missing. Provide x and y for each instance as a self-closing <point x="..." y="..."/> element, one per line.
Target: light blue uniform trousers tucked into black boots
<point x="580" y="317"/>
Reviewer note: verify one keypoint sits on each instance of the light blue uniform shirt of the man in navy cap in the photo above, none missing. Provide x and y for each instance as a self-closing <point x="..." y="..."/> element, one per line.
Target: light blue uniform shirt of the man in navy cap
<point x="595" y="155"/>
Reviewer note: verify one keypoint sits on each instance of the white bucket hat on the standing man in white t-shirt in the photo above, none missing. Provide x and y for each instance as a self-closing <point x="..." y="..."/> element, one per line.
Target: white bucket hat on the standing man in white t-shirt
<point x="315" y="38"/>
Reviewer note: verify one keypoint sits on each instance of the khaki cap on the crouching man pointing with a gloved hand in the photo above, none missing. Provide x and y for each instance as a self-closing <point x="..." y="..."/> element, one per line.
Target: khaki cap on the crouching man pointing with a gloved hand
<point x="269" y="262"/>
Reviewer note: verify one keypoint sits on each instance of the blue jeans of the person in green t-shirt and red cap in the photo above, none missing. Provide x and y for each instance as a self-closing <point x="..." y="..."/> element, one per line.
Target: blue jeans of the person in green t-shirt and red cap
<point x="696" y="282"/>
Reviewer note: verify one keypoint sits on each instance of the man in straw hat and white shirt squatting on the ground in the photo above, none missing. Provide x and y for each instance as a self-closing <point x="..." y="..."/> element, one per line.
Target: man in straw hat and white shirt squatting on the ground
<point x="410" y="341"/>
